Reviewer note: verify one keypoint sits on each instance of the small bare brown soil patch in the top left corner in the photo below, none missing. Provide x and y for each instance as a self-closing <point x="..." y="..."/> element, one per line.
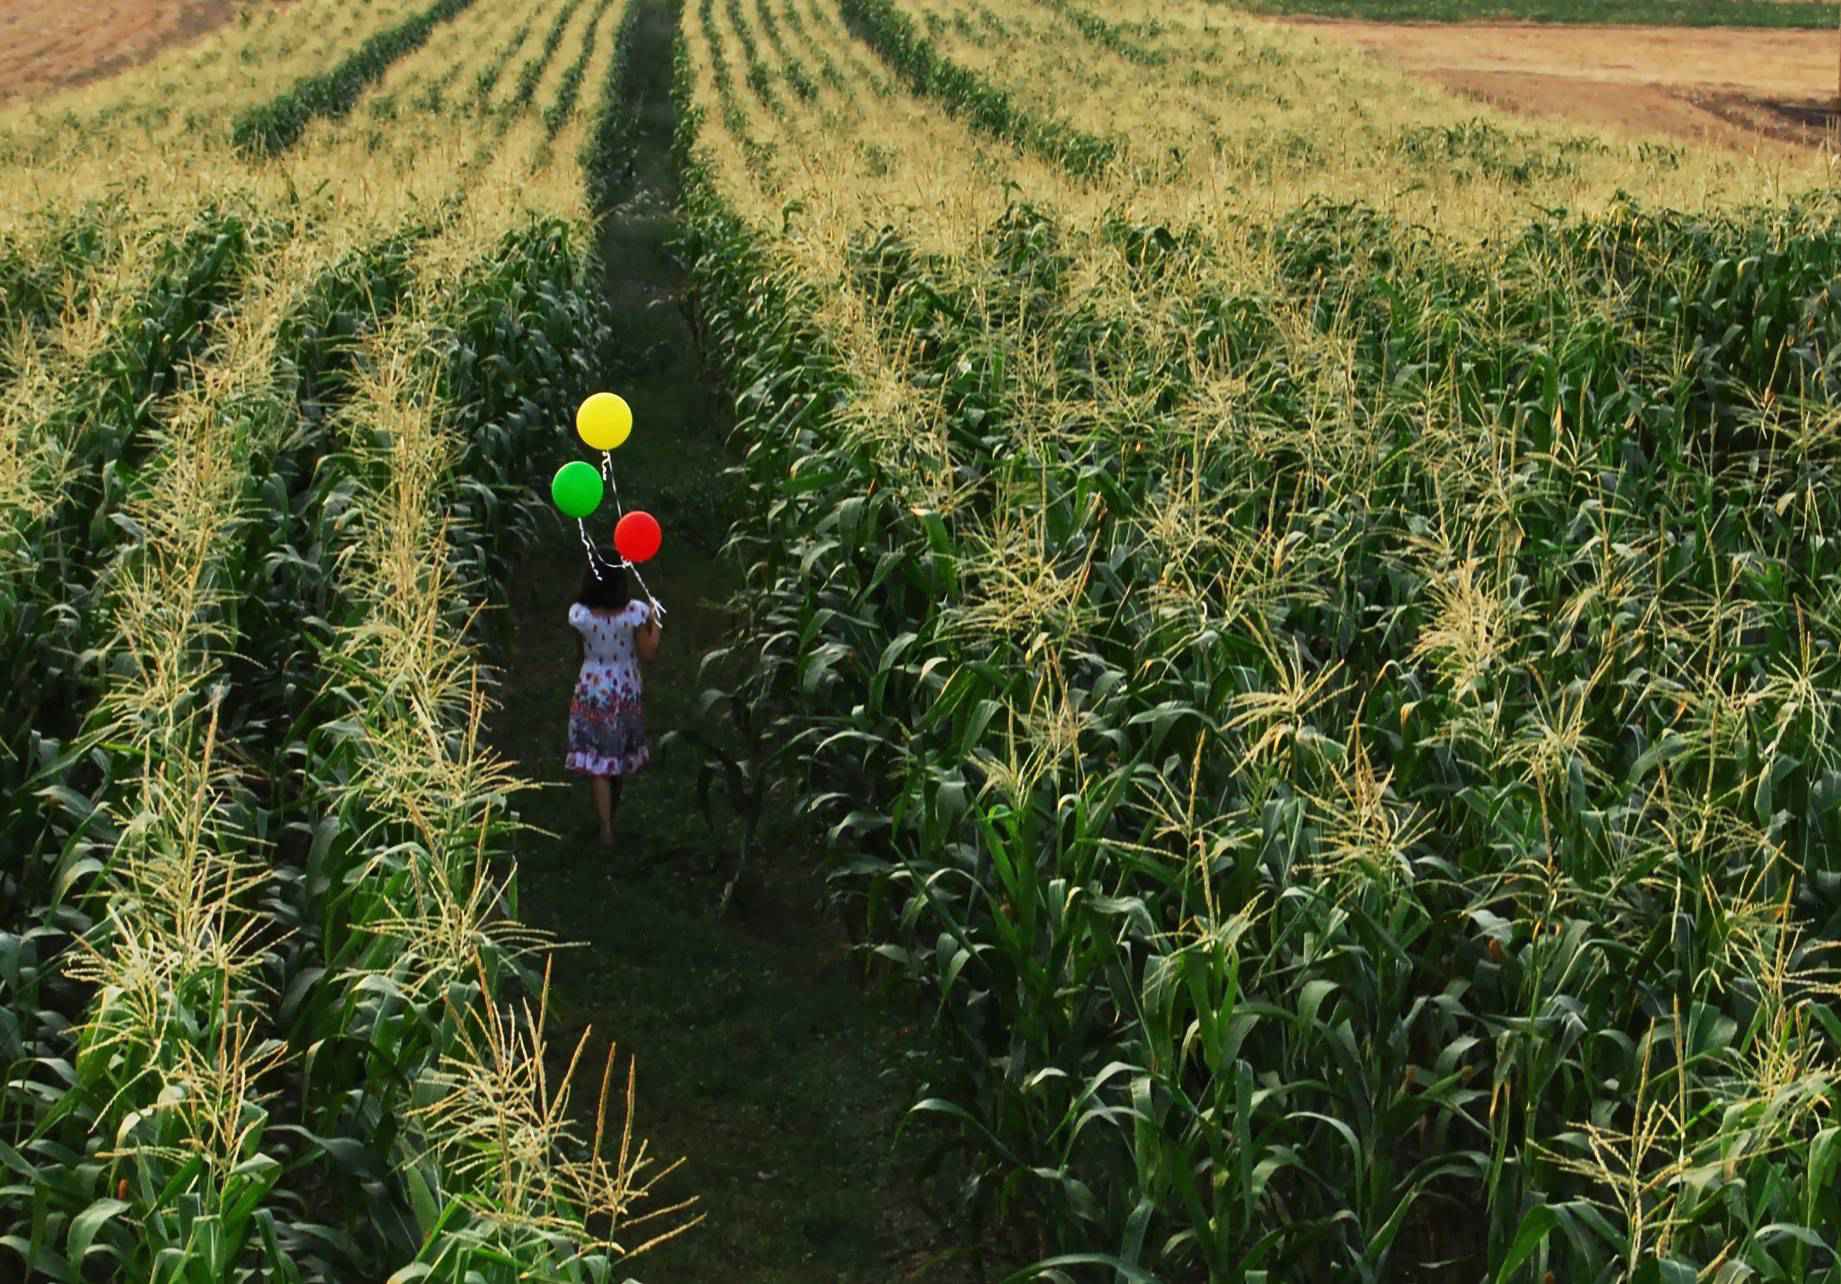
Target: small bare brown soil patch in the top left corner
<point x="51" y="45"/>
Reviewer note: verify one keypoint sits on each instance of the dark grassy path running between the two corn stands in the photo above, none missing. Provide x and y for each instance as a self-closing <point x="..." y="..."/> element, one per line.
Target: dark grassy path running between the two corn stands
<point x="761" y="1056"/>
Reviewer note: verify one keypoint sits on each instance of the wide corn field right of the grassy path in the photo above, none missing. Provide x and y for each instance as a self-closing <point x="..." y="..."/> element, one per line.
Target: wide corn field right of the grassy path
<point x="1306" y="618"/>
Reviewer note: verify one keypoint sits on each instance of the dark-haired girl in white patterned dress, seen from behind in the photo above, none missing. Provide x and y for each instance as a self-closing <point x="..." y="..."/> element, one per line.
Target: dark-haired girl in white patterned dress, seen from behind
<point x="607" y="721"/>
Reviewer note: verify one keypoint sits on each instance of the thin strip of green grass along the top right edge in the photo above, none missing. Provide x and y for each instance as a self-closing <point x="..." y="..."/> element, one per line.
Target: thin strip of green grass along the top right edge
<point x="1684" y="14"/>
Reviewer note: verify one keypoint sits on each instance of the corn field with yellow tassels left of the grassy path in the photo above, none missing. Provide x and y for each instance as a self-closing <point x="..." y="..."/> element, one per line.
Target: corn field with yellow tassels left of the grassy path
<point x="286" y="318"/>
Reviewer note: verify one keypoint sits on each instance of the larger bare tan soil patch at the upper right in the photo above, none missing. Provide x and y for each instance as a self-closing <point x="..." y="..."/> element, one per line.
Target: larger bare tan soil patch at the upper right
<point x="1733" y="88"/>
